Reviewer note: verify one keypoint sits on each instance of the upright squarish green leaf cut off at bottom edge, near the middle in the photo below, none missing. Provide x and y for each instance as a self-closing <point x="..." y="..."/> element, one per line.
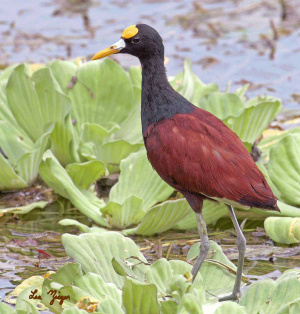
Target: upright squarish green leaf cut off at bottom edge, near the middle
<point x="139" y="297"/>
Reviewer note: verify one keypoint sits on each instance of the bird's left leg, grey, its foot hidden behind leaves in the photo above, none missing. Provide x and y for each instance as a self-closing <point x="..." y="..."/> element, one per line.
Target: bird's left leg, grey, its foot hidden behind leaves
<point x="204" y="247"/>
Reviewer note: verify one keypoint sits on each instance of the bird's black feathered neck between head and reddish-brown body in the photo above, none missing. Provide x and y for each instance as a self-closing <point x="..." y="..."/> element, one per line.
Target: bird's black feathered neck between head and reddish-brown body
<point x="159" y="100"/>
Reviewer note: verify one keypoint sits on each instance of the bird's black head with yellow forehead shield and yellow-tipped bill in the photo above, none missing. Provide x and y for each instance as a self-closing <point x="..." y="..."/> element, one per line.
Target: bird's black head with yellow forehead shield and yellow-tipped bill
<point x="140" y="40"/>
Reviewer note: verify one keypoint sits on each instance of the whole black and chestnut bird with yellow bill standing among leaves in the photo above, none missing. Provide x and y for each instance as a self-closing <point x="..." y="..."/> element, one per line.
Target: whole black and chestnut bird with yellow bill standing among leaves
<point x="191" y="149"/>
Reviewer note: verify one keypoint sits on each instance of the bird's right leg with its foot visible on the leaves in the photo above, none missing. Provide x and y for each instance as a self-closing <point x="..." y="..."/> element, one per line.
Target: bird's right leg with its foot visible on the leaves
<point x="241" y="245"/>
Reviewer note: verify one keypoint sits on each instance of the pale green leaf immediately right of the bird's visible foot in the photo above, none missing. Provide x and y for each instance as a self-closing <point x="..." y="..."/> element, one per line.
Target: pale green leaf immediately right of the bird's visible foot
<point x="257" y="294"/>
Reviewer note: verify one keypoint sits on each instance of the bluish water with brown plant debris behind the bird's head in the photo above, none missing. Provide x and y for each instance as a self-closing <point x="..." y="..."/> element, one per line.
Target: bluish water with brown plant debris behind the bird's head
<point x="228" y="40"/>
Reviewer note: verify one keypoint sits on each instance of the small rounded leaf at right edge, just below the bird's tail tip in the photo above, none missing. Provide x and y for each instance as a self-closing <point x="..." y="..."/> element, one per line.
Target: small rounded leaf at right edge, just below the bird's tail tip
<point x="284" y="230"/>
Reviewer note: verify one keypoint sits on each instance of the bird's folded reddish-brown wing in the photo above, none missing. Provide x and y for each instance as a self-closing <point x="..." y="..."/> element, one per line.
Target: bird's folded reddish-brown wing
<point x="198" y="153"/>
